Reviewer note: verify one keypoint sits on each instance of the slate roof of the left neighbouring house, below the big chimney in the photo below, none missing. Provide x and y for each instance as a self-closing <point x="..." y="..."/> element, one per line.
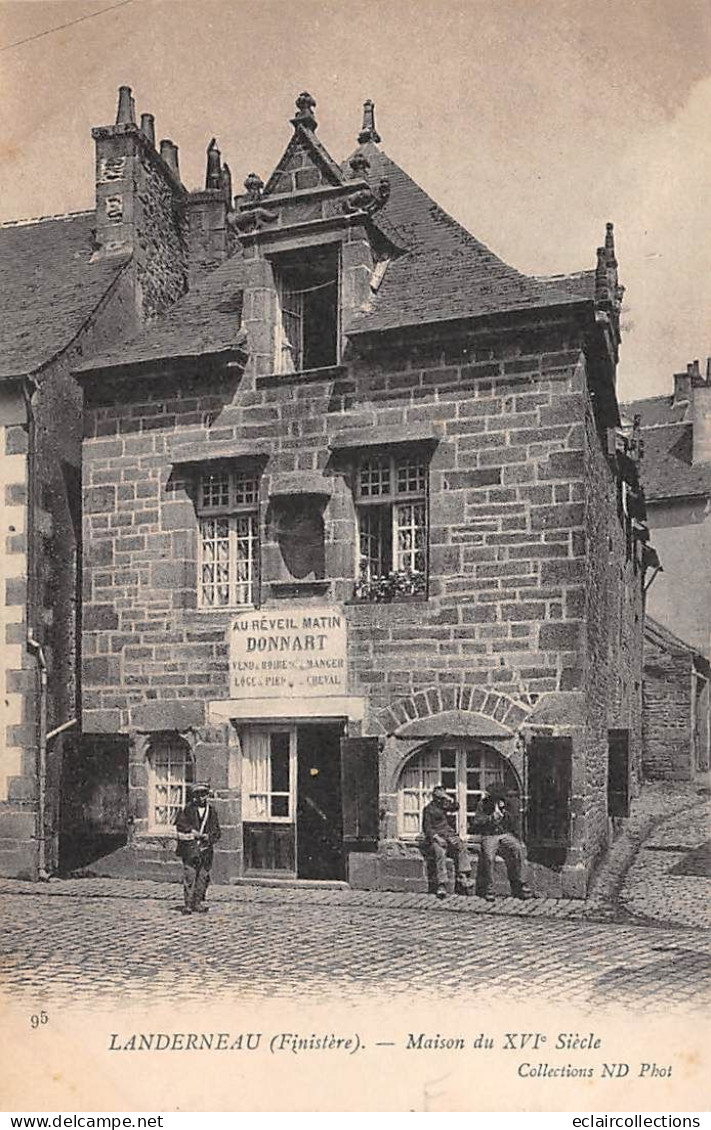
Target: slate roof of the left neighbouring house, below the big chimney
<point x="48" y="289"/>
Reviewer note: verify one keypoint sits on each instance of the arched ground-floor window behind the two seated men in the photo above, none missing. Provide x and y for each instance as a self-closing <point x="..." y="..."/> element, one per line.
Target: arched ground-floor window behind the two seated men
<point x="466" y="769"/>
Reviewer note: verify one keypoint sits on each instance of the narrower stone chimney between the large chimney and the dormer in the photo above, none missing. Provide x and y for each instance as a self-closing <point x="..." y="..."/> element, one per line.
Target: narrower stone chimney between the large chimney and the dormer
<point x="211" y="239"/>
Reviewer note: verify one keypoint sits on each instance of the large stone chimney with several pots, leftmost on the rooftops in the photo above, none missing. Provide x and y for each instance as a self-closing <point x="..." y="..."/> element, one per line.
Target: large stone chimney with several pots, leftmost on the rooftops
<point x="141" y="207"/>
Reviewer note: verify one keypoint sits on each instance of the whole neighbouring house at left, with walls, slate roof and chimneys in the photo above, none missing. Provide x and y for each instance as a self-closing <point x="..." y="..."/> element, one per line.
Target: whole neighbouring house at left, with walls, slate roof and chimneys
<point x="71" y="285"/>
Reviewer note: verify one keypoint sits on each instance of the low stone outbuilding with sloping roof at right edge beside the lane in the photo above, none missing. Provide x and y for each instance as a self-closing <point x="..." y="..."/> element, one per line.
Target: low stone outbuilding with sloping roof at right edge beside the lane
<point x="677" y="727"/>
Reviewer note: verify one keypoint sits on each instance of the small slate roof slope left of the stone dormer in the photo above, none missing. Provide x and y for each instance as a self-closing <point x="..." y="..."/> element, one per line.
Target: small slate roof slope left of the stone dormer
<point x="207" y="320"/>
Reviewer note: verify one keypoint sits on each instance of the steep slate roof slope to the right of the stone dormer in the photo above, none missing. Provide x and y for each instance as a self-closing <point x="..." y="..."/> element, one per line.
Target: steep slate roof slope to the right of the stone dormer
<point x="446" y="273"/>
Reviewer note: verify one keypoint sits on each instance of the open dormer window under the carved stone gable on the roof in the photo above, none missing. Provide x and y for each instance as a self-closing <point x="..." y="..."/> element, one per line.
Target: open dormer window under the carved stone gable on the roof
<point x="308" y="320"/>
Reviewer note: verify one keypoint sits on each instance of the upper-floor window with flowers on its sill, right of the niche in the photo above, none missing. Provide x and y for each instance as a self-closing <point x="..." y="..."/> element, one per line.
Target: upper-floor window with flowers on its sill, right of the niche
<point x="393" y="541"/>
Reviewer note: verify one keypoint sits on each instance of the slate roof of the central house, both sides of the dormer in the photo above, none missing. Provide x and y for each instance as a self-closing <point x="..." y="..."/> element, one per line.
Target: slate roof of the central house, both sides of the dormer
<point x="444" y="273"/>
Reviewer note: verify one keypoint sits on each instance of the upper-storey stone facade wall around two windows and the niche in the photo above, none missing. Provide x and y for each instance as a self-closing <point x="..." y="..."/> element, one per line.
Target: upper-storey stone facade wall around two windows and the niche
<point x="507" y="506"/>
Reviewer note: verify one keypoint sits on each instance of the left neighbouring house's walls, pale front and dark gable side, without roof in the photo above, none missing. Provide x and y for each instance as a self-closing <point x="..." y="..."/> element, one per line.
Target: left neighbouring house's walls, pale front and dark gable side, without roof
<point x="44" y="596"/>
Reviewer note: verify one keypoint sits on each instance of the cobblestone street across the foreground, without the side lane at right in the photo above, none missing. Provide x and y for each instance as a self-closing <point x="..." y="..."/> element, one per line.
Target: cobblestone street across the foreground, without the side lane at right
<point x="264" y="943"/>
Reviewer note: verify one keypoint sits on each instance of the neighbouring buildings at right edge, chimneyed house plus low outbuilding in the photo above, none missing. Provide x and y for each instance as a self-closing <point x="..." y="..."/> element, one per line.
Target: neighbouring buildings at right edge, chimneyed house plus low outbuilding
<point x="677" y="476"/>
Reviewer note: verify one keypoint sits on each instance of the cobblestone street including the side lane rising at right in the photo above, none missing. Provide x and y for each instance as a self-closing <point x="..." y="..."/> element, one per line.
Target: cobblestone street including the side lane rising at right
<point x="641" y="940"/>
